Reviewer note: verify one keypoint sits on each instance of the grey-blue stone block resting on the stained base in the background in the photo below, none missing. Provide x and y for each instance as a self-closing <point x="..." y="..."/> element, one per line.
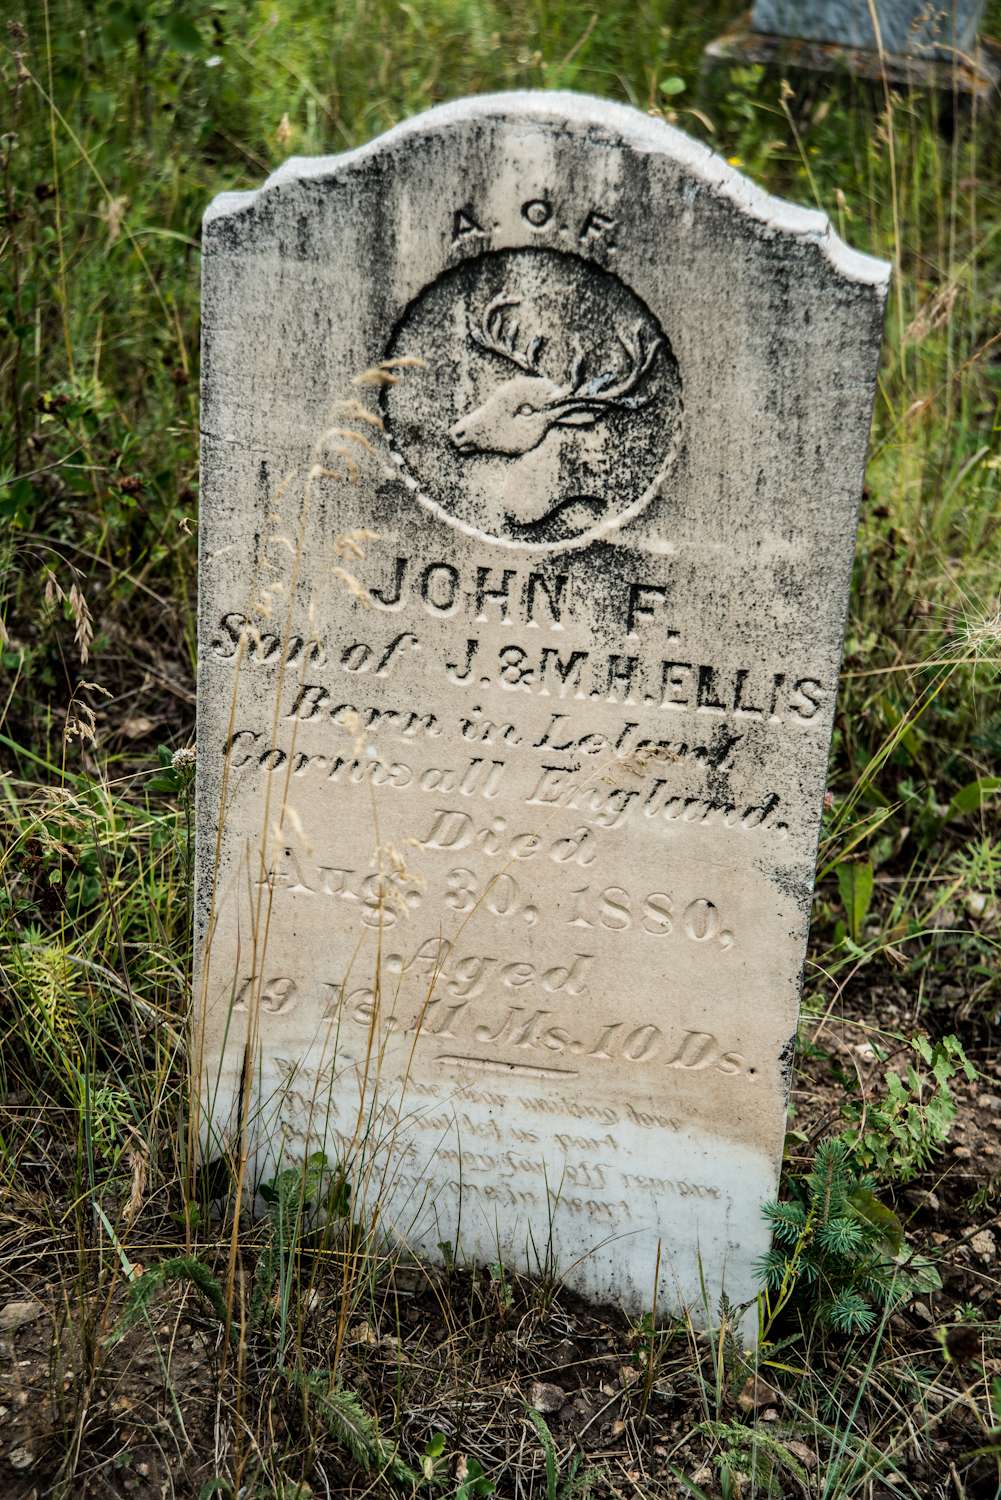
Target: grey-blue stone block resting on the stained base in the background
<point x="907" y="28"/>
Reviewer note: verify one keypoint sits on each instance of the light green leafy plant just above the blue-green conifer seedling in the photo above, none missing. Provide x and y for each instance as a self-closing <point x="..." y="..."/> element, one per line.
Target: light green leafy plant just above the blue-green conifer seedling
<point x="898" y="1135"/>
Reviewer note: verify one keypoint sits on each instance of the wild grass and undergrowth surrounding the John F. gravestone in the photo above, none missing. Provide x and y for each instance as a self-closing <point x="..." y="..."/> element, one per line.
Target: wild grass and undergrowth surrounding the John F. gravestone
<point x="124" y="119"/>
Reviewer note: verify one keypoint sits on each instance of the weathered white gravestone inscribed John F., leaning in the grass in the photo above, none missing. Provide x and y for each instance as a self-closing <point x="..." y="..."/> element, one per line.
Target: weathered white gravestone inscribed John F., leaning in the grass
<point x="534" y="445"/>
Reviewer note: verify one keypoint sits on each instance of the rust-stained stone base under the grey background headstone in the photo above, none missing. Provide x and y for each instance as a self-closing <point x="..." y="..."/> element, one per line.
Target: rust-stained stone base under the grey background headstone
<point x="742" y="46"/>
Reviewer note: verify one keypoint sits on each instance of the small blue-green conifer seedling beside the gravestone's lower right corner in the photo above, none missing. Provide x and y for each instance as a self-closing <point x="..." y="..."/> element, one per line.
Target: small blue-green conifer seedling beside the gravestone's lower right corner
<point x="838" y="1252"/>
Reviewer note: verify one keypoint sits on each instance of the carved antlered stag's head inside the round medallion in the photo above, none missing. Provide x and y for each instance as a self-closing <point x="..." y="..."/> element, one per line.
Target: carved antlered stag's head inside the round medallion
<point x="519" y="416"/>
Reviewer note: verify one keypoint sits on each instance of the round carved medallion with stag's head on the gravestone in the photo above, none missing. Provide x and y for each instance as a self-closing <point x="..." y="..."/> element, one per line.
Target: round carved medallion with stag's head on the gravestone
<point x="550" y="404"/>
